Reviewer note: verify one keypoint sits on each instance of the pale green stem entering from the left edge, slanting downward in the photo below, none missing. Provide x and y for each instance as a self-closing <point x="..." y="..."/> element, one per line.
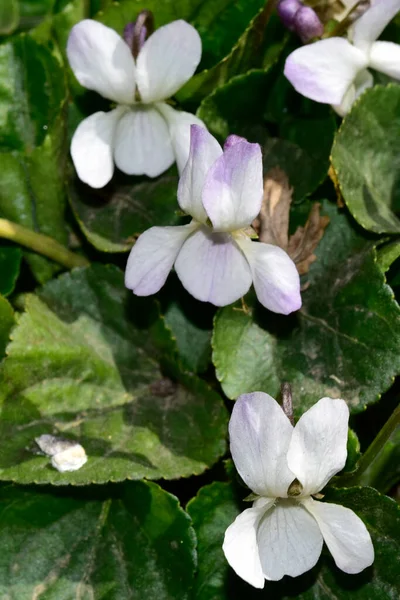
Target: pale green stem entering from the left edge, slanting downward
<point x="42" y="244"/>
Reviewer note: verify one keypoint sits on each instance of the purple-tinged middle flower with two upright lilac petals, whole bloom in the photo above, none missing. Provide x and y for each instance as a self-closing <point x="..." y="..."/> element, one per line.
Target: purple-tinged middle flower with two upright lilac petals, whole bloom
<point x="214" y="256"/>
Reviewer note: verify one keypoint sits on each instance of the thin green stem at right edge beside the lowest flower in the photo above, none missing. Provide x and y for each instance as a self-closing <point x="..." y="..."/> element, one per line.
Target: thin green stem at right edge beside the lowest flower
<point x="360" y="477"/>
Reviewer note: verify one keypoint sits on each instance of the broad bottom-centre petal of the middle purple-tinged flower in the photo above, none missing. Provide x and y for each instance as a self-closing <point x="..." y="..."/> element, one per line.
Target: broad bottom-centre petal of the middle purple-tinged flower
<point x="212" y="268"/>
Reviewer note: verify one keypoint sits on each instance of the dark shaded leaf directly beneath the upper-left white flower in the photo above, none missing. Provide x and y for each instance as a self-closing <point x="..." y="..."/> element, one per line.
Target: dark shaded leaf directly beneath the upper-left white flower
<point x="112" y="218"/>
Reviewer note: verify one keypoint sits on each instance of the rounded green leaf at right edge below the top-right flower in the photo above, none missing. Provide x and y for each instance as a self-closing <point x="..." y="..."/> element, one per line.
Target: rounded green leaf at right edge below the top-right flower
<point x="366" y="159"/>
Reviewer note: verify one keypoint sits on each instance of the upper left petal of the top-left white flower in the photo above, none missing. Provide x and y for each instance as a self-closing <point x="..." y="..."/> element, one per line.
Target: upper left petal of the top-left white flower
<point x="102" y="61"/>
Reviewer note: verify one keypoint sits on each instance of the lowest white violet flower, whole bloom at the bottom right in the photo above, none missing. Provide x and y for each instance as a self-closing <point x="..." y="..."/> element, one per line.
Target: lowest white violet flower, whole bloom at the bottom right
<point x="283" y="532"/>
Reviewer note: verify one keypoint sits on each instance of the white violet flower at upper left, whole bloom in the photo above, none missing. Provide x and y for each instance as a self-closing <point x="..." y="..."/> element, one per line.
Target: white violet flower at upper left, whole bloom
<point x="143" y="134"/>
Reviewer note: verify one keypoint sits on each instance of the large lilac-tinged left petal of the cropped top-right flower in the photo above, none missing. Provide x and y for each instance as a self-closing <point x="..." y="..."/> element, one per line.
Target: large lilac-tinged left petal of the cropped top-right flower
<point x="324" y="71"/>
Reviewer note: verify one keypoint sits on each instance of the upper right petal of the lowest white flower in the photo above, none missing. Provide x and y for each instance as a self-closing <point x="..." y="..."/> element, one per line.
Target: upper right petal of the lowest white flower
<point x="318" y="448"/>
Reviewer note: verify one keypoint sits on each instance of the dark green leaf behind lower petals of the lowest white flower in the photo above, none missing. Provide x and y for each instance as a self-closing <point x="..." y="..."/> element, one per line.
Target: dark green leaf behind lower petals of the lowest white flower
<point x="215" y="508"/>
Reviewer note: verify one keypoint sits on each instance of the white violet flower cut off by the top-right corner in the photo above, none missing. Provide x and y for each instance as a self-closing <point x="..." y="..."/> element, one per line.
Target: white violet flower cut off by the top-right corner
<point x="335" y="71"/>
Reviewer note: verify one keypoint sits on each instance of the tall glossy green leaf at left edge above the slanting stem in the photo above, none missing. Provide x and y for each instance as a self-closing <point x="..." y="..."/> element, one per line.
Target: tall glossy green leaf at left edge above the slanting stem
<point x="32" y="143"/>
